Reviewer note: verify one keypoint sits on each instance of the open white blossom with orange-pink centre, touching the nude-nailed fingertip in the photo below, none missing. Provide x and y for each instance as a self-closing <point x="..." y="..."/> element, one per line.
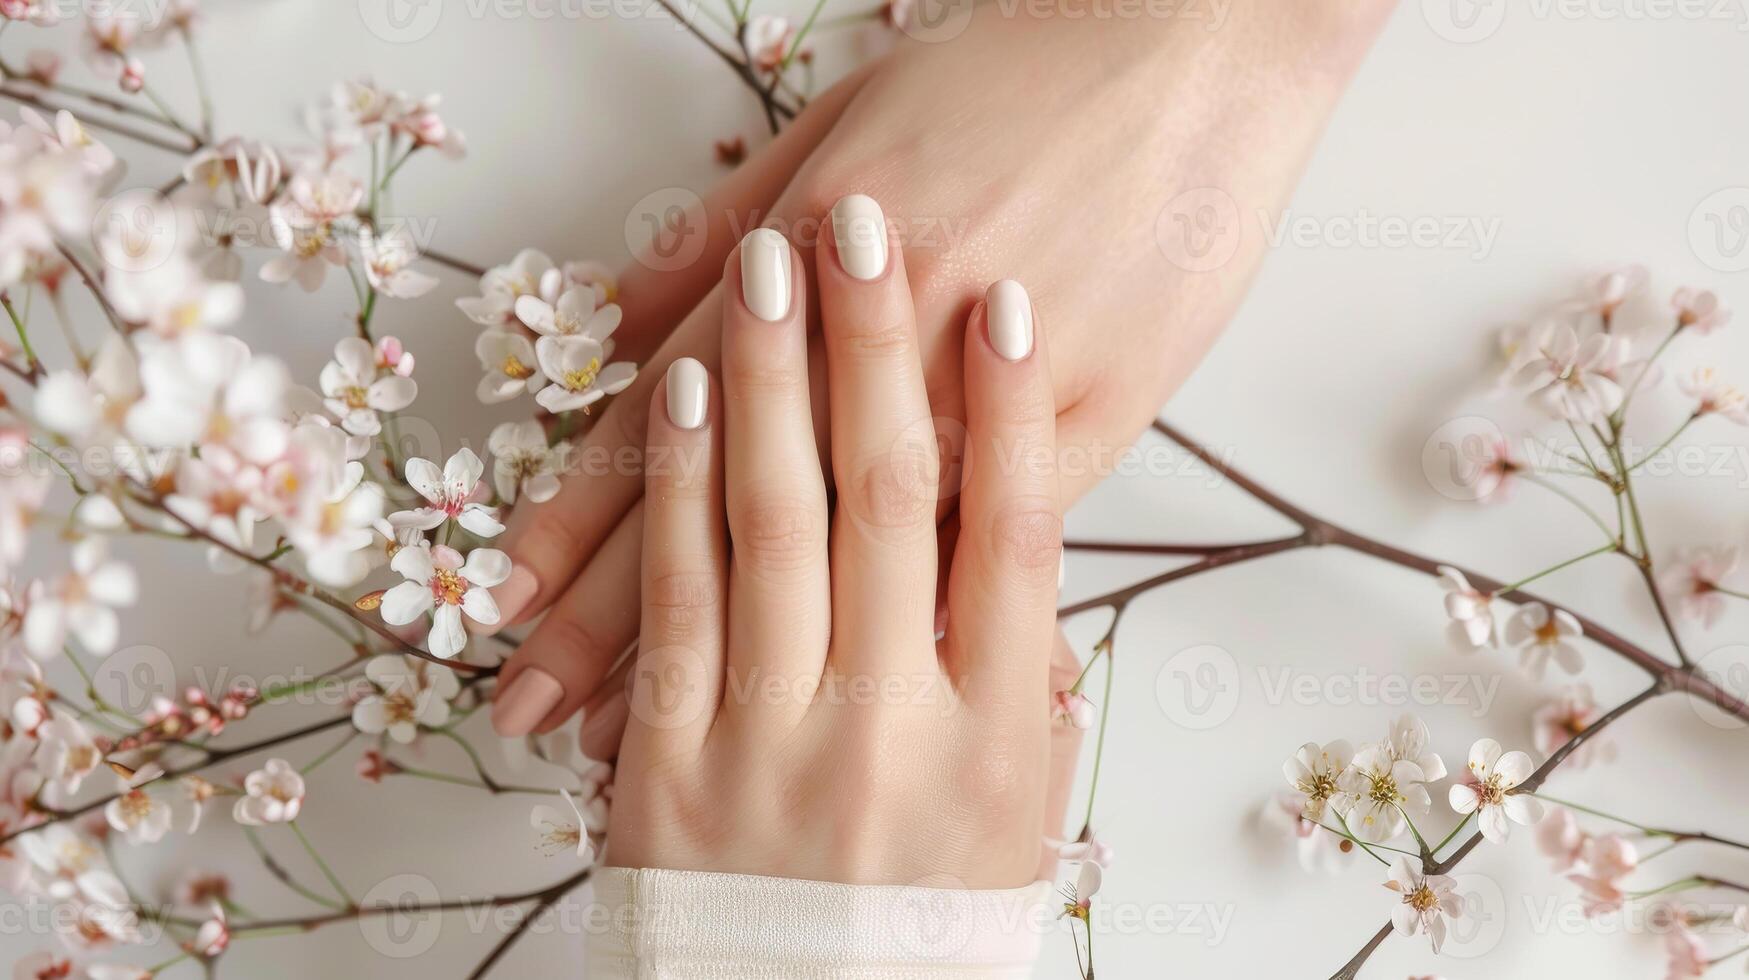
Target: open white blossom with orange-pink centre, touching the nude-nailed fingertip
<point x="442" y="584"/>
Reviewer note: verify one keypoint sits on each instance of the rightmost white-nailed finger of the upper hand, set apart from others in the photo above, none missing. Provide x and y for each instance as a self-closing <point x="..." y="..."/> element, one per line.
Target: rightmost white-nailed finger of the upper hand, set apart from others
<point x="1003" y="589"/>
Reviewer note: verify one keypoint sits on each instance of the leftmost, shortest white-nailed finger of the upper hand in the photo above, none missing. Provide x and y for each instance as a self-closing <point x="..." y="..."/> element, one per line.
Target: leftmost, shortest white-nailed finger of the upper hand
<point x="678" y="675"/>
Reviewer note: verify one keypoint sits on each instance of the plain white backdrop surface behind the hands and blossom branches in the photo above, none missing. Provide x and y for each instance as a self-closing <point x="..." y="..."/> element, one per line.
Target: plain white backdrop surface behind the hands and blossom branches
<point x="1584" y="139"/>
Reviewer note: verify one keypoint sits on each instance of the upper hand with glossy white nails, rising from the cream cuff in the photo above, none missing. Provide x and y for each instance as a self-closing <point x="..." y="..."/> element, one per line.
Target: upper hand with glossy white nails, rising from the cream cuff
<point x="791" y="711"/>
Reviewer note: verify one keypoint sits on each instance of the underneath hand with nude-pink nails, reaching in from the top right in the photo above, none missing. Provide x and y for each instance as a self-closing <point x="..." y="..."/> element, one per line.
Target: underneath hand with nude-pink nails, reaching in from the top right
<point x="1056" y="151"/>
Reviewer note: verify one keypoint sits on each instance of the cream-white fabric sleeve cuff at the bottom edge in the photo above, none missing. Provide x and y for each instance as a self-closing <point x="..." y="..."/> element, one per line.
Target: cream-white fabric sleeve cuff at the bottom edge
<point x="714" y="927"/>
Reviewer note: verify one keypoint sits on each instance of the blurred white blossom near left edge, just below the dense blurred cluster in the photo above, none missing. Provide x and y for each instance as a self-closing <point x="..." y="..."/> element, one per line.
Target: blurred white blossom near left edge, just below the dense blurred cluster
<point x="81" y="603"/>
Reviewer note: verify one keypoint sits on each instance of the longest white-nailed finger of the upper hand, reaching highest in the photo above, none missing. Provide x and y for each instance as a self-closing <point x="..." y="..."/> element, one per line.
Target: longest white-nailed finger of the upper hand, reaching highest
<point x="884" y="444"/>
